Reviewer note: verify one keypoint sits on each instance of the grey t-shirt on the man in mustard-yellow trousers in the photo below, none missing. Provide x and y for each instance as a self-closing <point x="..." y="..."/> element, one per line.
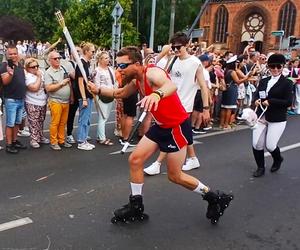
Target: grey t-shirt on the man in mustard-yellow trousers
<point x="56" y="76"/>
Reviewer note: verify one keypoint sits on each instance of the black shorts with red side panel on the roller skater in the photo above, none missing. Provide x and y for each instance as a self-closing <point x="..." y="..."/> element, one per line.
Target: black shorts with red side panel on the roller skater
<point x="171" y="139"/>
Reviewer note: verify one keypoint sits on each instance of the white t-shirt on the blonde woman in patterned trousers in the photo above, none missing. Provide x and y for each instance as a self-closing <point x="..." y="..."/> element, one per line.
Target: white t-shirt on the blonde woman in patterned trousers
<point x="38" y="98"/>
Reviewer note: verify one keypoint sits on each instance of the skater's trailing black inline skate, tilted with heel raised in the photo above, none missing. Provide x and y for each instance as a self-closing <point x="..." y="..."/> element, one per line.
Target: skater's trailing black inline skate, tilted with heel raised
<point x="217" y="203"/>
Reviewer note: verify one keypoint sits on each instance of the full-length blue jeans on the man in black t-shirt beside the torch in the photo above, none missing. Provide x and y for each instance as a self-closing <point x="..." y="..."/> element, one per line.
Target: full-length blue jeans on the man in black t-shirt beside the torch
<point x="84" y="120"/>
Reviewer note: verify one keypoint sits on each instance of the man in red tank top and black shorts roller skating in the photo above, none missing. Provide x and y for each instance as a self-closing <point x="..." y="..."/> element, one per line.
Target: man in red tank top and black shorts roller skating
<point x="171" y="134"/>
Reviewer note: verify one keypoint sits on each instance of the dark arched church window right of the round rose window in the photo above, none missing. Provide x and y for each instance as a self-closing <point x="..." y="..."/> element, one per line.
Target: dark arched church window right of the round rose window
<point x="287" y="18"/>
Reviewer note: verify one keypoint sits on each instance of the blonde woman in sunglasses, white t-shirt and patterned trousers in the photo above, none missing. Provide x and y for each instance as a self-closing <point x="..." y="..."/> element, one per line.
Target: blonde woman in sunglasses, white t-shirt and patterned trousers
<point x="35" y="102"/>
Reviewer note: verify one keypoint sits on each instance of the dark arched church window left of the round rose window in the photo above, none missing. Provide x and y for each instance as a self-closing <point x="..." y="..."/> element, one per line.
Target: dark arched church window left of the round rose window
<point x="221" y="25"/>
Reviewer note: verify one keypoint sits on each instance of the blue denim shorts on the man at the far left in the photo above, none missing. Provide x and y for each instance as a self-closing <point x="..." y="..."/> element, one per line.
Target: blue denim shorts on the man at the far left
<point x="13" y="111"/>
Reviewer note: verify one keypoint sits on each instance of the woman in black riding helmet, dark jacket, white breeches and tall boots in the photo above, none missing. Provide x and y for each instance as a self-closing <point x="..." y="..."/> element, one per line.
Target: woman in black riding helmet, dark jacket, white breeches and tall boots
<point x="275" y="93"/>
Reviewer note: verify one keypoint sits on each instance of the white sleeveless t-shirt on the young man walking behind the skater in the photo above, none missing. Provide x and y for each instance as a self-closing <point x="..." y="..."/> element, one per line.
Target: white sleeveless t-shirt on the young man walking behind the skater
<point x="183" y="74"/>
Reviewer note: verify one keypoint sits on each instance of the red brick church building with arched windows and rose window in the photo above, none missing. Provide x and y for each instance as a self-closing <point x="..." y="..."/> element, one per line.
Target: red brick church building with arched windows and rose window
<point x="229" y="24"/>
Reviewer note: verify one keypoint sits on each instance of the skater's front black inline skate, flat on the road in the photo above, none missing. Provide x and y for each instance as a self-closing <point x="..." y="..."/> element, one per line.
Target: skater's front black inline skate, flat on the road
<point x="132" y="211"/>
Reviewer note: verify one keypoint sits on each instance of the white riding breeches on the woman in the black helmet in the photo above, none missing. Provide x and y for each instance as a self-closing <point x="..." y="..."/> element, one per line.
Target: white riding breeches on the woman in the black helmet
<point x="267" y="134"/>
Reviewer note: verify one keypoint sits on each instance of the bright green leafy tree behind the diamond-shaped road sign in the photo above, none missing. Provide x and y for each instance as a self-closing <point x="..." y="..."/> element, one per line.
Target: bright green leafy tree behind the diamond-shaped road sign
<point x="91" y="20"/>
